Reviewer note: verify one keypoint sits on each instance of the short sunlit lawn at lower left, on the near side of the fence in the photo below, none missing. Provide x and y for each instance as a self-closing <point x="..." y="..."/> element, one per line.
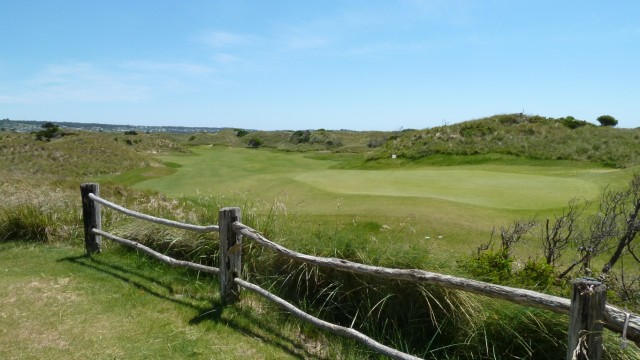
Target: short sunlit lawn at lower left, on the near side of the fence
<point x="56" y="304"/>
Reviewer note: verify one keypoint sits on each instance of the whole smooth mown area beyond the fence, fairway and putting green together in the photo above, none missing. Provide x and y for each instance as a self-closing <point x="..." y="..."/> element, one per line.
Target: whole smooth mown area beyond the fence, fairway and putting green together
<point x="450" y="208"/>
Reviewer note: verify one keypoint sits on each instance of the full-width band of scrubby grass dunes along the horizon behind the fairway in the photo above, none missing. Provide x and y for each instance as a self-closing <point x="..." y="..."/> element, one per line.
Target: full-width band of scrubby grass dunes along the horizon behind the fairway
<point x="533" y="137"/>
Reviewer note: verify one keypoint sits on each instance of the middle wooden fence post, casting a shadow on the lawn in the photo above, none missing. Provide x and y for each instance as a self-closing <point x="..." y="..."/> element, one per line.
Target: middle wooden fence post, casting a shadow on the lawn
<point x="230" y="254"/>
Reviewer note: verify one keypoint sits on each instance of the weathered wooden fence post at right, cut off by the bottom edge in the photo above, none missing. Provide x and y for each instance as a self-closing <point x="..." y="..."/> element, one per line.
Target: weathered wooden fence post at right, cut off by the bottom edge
<point x="586" y="317"/>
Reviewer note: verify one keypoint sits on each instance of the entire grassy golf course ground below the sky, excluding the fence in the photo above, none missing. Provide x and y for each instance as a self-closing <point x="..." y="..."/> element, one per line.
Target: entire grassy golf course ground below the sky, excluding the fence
<point x="524" y="202"/>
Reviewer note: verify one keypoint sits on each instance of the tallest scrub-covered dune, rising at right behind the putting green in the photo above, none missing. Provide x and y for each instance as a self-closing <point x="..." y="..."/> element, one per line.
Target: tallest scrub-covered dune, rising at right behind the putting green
<point x="533" y="137"/>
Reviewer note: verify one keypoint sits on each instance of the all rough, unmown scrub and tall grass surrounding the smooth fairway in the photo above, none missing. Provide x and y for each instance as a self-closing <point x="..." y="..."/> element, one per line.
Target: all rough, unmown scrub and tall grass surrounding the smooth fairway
<point x="39" y="187"/>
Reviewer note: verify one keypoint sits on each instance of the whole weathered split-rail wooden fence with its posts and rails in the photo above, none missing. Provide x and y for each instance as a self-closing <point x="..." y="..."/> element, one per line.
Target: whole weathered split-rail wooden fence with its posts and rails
<point x="587" y="308"/>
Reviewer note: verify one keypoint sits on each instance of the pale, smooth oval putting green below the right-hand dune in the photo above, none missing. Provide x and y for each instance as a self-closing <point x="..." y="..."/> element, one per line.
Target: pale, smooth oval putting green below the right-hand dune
<point x="476" y="187"/>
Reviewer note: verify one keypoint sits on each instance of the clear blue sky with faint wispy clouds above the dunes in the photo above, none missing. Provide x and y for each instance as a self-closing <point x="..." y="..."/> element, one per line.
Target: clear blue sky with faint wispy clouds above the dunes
<point x="350" y="64"/>
